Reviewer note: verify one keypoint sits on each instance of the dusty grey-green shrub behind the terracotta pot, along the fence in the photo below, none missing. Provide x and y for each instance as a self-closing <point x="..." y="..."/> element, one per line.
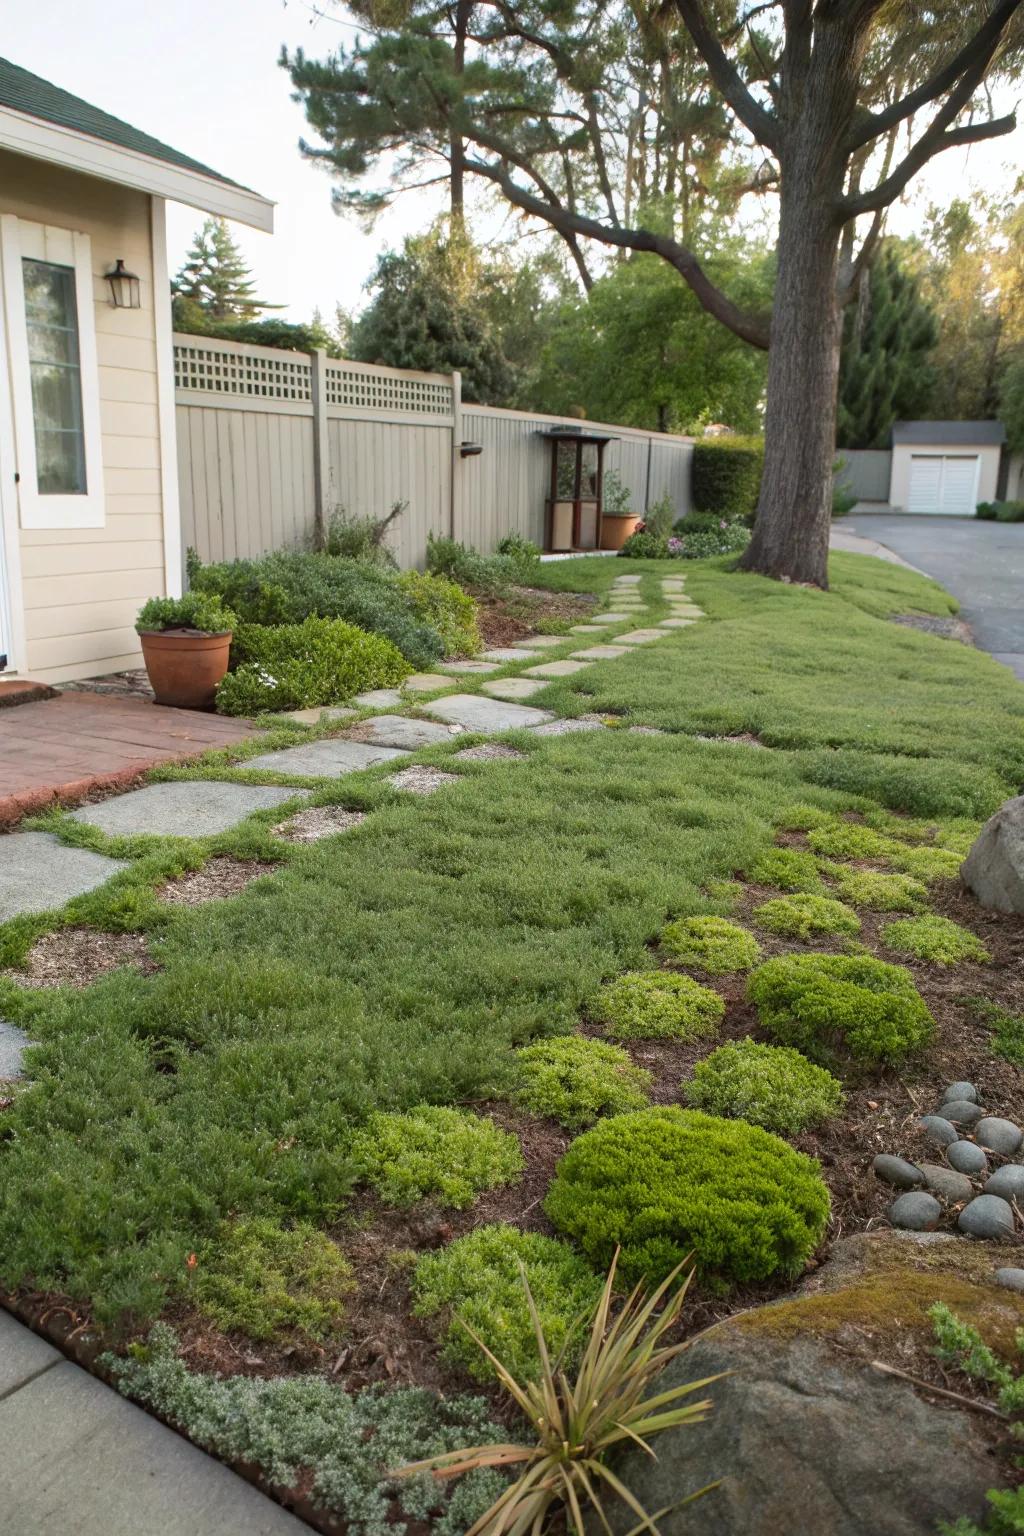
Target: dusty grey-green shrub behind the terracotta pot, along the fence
<point x="292" y="586"/>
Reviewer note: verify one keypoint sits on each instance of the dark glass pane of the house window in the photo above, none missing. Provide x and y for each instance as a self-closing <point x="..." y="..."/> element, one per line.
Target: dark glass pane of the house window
<point x="51" y="317"/>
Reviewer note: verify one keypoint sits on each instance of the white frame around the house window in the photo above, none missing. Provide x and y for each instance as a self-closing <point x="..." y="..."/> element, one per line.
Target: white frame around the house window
<point x="24" y="240"/>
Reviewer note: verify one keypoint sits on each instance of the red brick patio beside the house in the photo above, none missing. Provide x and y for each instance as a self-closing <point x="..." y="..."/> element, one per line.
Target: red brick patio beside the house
<point x="67" y="747"/>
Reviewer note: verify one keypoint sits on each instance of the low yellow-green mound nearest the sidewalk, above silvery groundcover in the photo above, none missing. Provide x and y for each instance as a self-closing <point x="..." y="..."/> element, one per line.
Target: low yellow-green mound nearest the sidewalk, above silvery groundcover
<point x="265" y="1280"/>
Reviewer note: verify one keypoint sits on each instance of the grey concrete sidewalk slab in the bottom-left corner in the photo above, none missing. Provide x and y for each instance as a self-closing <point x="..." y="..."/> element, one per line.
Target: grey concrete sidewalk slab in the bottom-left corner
<point x="76" y="1457"/>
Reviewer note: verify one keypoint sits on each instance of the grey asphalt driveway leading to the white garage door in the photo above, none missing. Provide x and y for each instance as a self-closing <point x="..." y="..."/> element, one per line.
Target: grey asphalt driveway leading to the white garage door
<point x="980" y="563"/>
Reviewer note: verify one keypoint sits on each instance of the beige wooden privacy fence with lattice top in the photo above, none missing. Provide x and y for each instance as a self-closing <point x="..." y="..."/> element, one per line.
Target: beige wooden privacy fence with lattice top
<point x="271" y="443"/>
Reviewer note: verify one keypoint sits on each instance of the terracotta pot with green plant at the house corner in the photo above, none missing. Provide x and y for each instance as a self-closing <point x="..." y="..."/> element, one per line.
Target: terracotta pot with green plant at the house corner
<point x="187" y="643"/>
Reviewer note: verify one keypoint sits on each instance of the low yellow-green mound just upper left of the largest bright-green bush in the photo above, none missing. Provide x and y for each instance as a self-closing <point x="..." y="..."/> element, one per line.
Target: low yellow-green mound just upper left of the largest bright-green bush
<point x="575" y="1081"/>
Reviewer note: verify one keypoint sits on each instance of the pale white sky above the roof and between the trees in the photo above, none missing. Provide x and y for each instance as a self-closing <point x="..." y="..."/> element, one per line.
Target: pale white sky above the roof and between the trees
<point x="203" y="76"/>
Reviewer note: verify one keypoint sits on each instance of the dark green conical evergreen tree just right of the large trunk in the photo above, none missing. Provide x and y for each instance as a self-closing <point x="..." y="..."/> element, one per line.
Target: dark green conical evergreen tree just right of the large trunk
<point x="885" y="372"/>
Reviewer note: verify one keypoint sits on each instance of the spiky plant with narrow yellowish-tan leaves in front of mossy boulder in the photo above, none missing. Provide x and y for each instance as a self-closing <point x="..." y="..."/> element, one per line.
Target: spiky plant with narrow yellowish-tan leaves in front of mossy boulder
<point x="578" y="1422"/>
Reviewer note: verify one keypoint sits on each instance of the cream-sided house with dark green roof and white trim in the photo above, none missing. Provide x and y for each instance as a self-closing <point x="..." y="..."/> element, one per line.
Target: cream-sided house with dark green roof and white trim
<point x="90" y="521"/>
